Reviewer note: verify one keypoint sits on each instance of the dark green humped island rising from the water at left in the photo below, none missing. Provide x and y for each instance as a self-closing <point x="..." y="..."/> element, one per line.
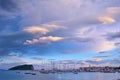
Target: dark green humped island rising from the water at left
<point x="22" y="67"/>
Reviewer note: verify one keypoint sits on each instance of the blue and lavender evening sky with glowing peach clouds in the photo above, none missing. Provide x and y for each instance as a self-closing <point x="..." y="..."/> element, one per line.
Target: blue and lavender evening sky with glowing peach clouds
<point x="65" y="30"/>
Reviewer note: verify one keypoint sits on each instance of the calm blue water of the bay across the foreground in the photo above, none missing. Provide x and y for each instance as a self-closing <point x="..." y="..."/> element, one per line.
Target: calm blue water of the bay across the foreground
<point x="12" y="75"/>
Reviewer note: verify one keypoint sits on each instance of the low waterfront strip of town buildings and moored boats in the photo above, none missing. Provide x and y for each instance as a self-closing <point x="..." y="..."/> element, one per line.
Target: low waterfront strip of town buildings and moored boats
<point x="105" y="69"/>
